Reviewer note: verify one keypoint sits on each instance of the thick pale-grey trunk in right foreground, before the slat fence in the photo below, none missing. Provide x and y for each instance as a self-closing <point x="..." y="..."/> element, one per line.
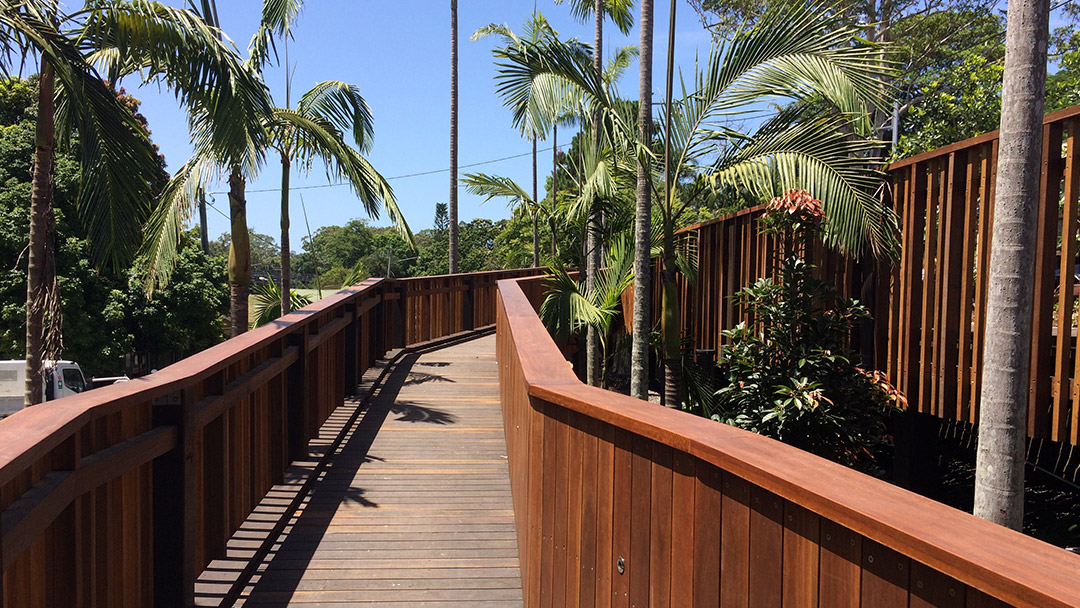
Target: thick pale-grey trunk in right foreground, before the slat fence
<point x="1000" y="465"/>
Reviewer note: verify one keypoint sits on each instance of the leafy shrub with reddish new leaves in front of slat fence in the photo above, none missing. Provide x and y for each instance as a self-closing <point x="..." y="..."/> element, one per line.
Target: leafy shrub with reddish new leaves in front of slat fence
<point x="789" y="374"/>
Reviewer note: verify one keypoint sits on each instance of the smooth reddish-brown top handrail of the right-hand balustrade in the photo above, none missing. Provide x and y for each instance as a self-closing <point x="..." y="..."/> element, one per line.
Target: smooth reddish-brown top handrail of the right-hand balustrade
<point x="994" y="560"/>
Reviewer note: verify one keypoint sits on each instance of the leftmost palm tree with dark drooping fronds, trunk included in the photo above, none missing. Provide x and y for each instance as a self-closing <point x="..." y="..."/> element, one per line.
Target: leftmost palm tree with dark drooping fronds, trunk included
<point x="168" y="45"/>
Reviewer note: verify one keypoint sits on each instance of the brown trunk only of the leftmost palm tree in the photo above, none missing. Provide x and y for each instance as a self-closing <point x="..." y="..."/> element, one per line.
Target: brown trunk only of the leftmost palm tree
<point x="38" y="280"/>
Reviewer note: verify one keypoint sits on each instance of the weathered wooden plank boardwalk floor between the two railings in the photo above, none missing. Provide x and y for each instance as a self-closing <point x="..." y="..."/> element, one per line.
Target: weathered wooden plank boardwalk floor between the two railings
<point x="410" y="507"/>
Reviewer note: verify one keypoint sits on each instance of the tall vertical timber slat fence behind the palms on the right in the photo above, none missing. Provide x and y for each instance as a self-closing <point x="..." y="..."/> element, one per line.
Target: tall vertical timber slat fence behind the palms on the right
<point x="930" y="306"/>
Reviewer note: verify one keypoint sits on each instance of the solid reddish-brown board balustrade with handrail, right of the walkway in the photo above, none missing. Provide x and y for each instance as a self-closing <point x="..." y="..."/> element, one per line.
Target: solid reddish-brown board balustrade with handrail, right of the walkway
<point x="622" y="503"/>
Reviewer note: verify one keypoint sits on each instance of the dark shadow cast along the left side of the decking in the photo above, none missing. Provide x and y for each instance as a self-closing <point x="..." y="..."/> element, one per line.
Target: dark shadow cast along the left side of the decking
<point x="271" y="553"/>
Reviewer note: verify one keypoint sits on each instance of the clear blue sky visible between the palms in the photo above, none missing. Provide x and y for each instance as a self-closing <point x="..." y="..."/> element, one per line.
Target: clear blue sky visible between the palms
<point x="399" y="55"/>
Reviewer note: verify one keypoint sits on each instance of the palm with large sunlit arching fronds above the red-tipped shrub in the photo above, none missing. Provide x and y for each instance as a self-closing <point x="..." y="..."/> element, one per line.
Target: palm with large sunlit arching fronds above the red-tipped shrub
<point x="818" y="141"/>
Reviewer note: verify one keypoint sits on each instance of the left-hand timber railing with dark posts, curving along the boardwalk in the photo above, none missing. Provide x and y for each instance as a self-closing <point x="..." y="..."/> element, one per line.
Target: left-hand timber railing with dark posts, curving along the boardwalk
<point x="119" y="497"/>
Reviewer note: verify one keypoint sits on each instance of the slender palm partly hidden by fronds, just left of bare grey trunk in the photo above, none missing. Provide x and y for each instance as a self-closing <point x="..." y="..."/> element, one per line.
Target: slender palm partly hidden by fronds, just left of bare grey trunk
<point x="619" y="11"/>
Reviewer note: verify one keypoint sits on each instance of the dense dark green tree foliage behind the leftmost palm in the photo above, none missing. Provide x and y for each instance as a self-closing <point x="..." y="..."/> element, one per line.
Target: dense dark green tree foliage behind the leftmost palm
<point x="107" y="319"/>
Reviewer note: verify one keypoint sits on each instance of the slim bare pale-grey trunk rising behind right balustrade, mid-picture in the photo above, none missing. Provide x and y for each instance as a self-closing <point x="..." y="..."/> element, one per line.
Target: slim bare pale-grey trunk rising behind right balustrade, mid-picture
<point x="643" y="221"/>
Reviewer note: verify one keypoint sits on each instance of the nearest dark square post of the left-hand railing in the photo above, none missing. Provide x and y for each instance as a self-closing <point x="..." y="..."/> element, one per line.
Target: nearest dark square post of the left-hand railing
<point x="174" y="509"/>
